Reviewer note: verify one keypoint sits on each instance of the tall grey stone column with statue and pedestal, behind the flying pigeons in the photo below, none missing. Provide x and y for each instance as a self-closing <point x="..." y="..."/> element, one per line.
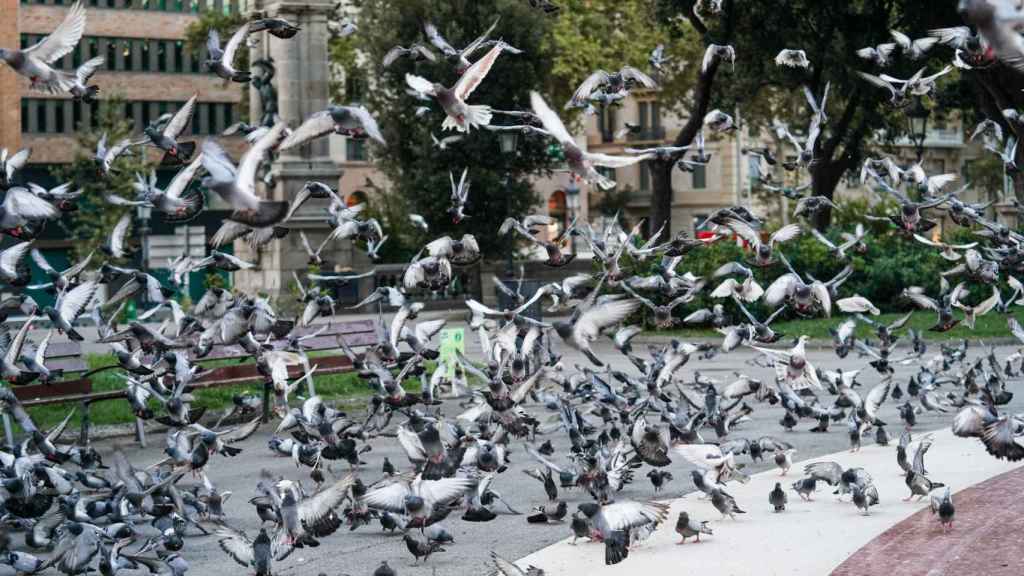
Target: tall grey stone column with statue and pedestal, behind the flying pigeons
<point x="303" y="80"/>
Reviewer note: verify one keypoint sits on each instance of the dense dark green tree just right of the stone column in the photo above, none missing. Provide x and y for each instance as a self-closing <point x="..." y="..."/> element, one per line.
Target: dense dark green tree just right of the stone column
<point x="419" y="172"/>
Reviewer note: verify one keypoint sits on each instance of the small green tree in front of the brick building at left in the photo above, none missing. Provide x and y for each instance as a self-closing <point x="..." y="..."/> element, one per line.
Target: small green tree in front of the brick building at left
<point x="95" y="220"/>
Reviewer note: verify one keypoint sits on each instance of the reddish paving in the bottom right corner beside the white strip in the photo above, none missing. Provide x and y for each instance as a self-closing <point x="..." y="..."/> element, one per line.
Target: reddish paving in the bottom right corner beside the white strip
<point x="987" y="539"/>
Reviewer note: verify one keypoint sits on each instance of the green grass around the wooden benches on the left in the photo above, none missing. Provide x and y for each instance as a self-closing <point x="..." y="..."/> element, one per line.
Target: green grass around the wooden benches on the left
<point x="330" y="387"/>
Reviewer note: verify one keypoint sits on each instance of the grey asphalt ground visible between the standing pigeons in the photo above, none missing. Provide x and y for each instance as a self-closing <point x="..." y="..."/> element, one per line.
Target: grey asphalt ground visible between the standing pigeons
<point x="360" y="552"/>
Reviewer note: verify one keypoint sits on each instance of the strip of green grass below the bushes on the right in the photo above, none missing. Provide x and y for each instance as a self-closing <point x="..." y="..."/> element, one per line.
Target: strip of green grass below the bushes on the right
<point x="989" y="326"/>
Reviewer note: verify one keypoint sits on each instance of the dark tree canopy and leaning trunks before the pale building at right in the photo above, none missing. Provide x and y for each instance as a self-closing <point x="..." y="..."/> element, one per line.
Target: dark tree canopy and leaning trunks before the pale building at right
<point x="830" y="33"/>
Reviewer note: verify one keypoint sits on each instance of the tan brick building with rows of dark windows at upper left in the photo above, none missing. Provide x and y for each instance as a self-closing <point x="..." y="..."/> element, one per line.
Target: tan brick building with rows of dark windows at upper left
<point x="148" y="69"/>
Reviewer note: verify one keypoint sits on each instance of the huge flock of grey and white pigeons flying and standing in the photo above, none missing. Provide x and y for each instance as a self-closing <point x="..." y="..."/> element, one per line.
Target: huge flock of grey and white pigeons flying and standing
<point x="87" y="516"/>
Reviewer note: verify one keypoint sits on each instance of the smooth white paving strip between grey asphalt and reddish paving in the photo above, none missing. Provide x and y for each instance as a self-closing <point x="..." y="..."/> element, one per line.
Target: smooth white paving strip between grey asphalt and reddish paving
<point x="809" y="539"/>
